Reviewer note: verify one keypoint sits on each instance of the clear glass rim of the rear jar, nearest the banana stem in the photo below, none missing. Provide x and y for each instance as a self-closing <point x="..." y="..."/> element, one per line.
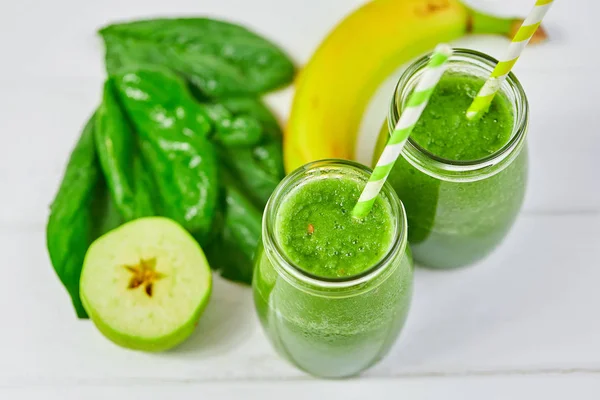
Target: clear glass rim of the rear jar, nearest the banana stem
<point x="466" y="170"/>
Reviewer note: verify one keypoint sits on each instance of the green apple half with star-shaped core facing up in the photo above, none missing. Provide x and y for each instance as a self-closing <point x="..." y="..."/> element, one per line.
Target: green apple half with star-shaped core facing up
<point x="145" y="284"/>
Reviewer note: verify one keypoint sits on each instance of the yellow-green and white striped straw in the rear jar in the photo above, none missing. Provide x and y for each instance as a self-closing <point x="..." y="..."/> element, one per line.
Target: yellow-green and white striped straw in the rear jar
<point x="492" y="85"/>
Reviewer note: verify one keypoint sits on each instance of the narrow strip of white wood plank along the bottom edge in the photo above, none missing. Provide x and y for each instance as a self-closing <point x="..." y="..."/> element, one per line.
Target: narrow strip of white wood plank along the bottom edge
<point x="548" y="387"/>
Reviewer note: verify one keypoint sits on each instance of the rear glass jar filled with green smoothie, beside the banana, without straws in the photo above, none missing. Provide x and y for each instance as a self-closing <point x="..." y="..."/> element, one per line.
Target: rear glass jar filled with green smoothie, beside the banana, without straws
<point x="462" y="181"/>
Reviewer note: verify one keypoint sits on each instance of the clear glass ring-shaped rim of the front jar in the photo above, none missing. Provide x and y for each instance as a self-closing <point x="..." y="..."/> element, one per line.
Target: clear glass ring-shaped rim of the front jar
<point x="292" y="272"/>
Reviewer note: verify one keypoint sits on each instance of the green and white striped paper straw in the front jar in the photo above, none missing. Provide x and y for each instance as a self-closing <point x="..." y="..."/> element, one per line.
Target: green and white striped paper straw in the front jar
<point x="415" y="105"/>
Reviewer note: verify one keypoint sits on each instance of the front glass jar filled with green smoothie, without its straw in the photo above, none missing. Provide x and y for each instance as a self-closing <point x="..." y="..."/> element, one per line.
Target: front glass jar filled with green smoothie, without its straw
<point x="332" y="292"/>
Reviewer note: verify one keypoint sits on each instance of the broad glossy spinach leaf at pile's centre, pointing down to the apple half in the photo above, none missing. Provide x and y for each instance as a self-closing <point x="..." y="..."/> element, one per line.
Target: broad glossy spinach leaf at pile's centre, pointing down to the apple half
<point x="173" y="132"/>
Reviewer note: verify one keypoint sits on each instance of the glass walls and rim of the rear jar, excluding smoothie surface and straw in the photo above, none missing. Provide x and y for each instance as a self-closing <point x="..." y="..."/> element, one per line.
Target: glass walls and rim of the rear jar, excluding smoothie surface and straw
<point x="459" y="211"/>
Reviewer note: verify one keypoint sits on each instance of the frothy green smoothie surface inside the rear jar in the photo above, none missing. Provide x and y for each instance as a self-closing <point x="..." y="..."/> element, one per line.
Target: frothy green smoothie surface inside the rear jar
<point x="444" y="129"/>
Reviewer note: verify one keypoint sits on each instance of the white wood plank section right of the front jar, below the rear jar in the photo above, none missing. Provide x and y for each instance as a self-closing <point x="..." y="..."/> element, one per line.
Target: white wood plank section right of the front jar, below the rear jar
<point x="530" y="305"/>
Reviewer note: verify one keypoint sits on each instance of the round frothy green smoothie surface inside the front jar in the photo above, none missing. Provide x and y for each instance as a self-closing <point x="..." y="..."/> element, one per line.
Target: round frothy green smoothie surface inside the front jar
<point x="316" y="230"/>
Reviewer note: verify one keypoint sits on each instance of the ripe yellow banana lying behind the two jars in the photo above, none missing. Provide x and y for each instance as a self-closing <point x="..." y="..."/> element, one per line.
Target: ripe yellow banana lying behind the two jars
<point x="334" y="88"/>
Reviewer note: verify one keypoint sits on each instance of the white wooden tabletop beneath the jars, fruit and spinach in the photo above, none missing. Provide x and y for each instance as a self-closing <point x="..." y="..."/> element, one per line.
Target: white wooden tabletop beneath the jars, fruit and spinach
<point x="525" y="323"/>
